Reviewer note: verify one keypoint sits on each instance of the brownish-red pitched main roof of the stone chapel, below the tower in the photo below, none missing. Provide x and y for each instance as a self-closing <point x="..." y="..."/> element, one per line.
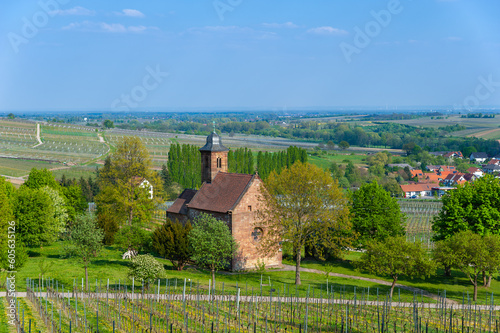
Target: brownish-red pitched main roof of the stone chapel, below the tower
<point x="223" y="193"/>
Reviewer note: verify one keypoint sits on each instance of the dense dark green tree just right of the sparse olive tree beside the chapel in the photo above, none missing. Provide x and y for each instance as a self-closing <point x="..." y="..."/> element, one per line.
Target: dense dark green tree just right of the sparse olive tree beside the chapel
<point x="376" y="215"/>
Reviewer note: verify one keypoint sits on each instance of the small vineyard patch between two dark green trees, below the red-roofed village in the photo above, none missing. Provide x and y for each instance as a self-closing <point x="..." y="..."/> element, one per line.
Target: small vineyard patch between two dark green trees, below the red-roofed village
<point x="420" y="214"/>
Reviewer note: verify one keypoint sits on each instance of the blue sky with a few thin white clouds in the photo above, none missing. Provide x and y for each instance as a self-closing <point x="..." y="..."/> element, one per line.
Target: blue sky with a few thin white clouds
<point x="72" y="55"/>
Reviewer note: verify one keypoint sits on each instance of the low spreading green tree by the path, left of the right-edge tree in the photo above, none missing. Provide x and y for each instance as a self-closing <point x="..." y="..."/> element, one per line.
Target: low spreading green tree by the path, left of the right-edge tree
<point x="395" y="257"/>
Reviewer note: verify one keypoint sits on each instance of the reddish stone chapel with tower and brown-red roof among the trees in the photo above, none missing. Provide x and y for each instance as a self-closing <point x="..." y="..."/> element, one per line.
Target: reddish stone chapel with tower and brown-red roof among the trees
<point x="230" y="197"/>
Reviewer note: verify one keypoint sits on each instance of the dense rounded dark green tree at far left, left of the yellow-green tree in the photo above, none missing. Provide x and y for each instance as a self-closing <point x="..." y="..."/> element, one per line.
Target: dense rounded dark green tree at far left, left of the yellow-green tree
<point x="34" y="212"/>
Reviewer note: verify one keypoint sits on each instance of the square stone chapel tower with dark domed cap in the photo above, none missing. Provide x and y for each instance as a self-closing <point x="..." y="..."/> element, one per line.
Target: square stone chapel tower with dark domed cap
<point x="213" y="158"/>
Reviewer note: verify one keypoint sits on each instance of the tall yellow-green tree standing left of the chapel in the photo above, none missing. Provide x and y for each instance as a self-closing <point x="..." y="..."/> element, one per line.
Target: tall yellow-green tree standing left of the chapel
<point x="123" y="193"/>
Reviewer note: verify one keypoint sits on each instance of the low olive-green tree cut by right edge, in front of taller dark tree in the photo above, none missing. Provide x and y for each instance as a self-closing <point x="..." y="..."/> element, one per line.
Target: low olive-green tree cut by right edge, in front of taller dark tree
<point x="471" y="254"/>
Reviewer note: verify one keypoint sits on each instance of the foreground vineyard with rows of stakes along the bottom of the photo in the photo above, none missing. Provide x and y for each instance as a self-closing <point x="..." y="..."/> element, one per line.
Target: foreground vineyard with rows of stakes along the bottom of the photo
<point x="183" y="306"/>
